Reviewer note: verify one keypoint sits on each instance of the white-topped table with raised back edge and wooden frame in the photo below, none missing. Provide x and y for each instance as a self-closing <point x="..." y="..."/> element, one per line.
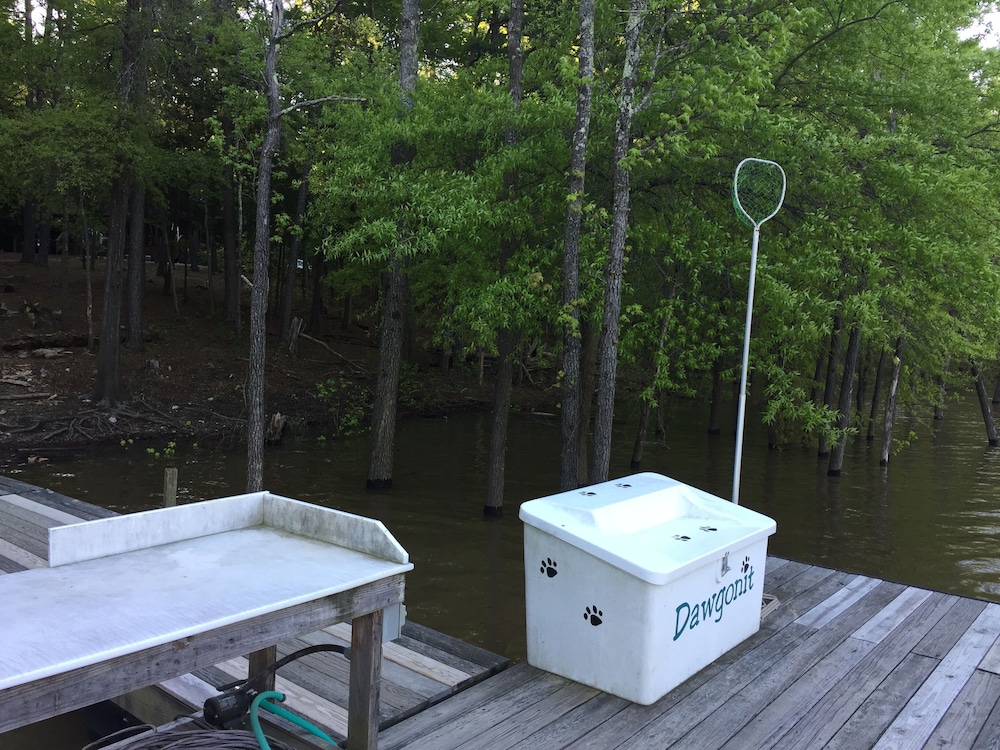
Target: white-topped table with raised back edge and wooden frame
<point x="129" y="601"/>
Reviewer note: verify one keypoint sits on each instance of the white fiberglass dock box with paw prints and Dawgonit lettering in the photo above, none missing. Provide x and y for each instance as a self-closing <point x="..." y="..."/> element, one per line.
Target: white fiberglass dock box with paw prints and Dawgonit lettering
<point x="634" y="585"/>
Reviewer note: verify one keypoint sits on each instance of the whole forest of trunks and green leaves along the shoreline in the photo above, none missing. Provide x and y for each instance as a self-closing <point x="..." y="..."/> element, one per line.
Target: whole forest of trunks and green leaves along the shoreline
<point x="536" y="179"/>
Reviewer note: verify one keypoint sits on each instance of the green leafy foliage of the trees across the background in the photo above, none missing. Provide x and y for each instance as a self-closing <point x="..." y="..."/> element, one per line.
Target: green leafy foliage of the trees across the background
<point x="883" y="119"/>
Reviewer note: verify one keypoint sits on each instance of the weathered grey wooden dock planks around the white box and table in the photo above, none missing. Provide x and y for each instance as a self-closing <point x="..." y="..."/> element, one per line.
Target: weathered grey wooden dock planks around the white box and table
<point x="841" y="661"/>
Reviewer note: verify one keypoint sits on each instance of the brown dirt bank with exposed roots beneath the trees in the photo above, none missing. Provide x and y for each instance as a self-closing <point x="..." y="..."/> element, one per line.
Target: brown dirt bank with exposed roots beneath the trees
<point x="190" y="378"/>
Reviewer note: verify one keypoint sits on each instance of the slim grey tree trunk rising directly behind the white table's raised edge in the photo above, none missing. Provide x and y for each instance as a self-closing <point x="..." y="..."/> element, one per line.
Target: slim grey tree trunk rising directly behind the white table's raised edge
<point x="261" y="257"/>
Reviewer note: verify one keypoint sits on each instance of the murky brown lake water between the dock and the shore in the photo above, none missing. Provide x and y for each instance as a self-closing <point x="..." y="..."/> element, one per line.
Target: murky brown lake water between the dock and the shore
<point x="932" y="519"/>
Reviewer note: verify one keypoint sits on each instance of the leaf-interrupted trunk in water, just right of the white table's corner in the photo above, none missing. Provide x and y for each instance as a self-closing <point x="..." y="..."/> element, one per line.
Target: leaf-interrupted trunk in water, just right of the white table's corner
<point x="383" y="432"/>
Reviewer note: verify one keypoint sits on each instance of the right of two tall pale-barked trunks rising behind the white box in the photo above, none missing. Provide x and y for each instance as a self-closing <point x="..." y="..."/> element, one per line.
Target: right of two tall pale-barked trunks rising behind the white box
<point x="608" y="353"/>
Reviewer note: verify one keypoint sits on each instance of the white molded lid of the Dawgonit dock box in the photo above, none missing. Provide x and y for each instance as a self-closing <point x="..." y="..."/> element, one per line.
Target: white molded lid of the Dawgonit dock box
<point x="648" y="525"/>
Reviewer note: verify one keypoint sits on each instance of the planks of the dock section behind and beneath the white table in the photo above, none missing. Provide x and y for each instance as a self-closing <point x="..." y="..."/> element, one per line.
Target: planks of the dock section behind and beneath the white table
<point x="419" y="669"/>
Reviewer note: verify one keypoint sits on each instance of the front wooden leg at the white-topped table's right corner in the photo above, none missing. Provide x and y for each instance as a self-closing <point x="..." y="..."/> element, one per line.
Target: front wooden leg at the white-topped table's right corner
<point x="366" y="676"/>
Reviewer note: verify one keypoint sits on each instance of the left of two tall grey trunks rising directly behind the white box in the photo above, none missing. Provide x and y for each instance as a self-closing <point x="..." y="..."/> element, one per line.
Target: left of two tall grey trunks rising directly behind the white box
<point x="571" y="422"/>
